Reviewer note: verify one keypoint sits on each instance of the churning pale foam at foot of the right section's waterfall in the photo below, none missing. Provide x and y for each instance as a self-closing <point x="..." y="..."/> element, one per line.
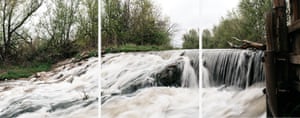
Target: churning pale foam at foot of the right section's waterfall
<point x="248" y="103"/>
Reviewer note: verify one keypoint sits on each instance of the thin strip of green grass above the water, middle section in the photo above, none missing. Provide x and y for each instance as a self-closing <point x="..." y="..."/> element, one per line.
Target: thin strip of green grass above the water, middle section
<point x="136" y="48"/>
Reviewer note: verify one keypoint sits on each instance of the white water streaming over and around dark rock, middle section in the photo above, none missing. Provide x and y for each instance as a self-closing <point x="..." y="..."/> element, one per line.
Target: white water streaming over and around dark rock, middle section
<point x="118" y="71"/>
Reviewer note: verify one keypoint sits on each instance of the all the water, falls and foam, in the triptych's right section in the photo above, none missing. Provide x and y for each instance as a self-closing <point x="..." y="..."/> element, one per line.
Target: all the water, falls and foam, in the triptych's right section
<point x="232" y="84"/>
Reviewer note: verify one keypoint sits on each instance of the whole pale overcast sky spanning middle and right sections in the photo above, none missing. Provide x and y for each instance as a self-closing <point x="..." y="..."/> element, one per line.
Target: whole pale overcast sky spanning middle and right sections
<point x="194" y="14"/>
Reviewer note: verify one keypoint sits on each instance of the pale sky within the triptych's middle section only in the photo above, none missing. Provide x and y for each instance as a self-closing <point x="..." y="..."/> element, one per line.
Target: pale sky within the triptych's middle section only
<point x="185" y="13"/>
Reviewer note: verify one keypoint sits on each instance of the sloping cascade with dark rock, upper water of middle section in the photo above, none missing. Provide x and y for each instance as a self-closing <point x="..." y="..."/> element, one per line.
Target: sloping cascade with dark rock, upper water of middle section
<point x="129" y="72"/>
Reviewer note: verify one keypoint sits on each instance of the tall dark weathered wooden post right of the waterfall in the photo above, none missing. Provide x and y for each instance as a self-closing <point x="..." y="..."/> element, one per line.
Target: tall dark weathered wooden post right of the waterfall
<point x="276" y="58"/>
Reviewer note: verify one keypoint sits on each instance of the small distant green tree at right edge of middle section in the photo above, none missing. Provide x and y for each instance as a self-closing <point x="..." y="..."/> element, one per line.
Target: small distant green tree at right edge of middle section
<point x="191" y="39"/>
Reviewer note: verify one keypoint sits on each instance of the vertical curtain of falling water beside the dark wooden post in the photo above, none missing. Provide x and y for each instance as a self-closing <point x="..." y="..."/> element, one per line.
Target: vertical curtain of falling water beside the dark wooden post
<point x="232" y="67"/>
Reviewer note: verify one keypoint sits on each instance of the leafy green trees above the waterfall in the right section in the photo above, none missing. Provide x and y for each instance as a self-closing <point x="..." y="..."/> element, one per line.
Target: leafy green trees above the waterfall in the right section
<point x="246" y="23"/>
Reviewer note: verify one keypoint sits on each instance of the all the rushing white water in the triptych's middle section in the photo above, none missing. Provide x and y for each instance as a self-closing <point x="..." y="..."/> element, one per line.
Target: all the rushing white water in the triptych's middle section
<point x="150" y="85"/>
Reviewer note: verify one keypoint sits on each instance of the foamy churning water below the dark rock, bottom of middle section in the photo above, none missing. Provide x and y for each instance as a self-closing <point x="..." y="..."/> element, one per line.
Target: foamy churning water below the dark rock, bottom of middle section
<point x="155" y="102"/>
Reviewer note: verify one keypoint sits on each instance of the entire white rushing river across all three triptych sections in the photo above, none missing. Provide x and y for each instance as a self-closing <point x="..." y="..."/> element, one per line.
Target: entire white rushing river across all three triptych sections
<point x="142" y="85"/>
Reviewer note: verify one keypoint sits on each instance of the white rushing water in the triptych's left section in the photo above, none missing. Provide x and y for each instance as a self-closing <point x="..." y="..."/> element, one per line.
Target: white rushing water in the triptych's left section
<point x="68" y="91"/>
